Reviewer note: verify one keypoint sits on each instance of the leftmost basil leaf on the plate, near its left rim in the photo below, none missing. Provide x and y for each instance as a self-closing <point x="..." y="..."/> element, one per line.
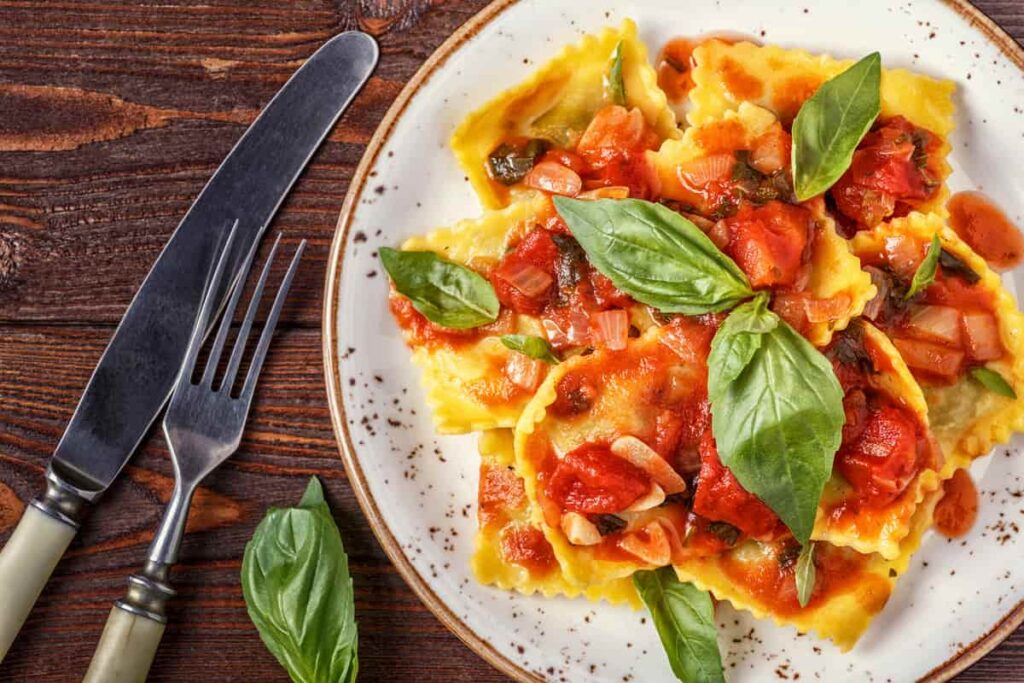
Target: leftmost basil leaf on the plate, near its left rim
<point x="446" y="293"/>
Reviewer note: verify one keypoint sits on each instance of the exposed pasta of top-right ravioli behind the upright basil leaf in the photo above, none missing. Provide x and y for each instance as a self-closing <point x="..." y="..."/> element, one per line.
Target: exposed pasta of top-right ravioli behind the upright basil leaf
<point x="727" y="76"/>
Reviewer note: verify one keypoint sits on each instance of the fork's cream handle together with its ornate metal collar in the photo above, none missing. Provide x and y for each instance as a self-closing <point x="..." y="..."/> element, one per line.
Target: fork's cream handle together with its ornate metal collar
<point x="134" y="630"/>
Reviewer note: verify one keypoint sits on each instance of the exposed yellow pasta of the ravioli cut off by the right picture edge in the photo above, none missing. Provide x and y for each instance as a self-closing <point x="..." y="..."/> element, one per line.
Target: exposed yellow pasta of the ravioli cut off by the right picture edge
<point x="966" y="419"/>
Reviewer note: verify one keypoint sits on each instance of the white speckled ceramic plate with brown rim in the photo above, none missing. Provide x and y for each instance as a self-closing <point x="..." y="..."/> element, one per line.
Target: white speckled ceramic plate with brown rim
<point x="419" y="490"/>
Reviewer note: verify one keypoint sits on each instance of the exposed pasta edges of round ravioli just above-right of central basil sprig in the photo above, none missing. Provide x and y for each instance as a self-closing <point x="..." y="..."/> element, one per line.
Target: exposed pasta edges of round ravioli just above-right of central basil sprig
<point x="836" y="289"/>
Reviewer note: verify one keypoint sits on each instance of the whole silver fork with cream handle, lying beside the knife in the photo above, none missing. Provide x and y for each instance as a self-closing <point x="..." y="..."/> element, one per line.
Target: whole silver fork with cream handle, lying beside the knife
<point x="203" y="426"/>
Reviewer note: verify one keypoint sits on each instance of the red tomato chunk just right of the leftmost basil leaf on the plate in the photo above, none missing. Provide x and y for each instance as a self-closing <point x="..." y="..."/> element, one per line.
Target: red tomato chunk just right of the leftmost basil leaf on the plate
<point x="531" y="266"/>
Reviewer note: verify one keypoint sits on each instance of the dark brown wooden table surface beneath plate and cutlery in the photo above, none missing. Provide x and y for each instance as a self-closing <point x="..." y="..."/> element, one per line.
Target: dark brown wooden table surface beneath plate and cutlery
<point x="113" y="115"/>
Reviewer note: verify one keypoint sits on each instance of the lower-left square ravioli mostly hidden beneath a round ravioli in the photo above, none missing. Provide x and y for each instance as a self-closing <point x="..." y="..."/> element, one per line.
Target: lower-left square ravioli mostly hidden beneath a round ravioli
<point x="513" y="552"/>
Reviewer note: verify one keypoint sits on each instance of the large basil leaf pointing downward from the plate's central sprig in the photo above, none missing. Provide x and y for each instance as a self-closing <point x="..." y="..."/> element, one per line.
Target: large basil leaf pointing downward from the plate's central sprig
<point x="779" y="420"/>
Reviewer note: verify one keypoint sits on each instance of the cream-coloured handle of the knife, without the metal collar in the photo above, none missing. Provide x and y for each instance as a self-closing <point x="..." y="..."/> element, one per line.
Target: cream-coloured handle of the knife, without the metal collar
<point x="26" y="565"/>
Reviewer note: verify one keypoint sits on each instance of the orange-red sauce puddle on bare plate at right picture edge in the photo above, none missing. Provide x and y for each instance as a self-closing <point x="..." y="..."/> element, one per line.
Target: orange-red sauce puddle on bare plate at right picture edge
<point x="989" y="232"/>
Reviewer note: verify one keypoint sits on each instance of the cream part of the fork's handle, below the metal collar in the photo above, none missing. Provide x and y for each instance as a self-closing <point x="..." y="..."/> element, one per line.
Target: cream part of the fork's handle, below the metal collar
<point x="126" y="650"/>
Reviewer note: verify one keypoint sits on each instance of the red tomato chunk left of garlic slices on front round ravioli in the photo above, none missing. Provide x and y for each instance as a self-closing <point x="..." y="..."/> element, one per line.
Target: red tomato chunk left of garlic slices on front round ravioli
<point x="593" y="481"/>
